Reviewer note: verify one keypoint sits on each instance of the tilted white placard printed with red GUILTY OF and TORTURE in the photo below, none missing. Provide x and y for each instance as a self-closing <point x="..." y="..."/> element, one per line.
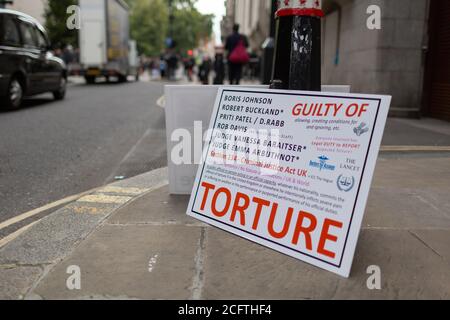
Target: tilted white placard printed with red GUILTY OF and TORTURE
<point x="291" y="170"/>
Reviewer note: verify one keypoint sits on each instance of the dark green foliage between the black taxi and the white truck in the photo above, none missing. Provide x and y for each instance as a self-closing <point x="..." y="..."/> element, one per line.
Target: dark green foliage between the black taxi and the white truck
<point x="56" y="16"/>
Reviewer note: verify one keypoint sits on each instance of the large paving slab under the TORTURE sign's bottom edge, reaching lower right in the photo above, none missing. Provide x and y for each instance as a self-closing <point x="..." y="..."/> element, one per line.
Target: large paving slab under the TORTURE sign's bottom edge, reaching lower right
<point x="238" y="269"/>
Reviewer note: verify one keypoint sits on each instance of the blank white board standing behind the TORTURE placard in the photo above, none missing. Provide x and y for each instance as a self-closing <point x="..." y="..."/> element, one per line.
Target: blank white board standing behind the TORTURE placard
<point x="186" y="105"/>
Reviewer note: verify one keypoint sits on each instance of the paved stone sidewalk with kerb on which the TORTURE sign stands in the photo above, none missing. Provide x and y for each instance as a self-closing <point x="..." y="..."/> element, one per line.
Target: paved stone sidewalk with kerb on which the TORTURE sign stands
<point x="141" y="245"/>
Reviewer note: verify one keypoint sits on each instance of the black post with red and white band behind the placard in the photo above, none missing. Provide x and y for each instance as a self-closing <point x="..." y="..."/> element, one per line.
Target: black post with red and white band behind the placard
<point x="297" y="63"/>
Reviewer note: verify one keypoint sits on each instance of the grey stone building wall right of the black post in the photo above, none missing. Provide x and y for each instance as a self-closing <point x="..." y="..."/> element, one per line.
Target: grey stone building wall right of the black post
<point x="390" y="60"/>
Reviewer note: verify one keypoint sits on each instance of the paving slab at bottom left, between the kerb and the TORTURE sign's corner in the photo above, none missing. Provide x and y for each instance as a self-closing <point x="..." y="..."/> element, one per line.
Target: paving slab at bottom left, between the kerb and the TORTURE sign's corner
<point x="145" y="262"/>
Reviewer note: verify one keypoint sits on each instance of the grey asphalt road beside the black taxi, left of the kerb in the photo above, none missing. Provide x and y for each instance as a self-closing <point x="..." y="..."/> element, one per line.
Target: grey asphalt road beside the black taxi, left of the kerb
<point x="50" y="150"/>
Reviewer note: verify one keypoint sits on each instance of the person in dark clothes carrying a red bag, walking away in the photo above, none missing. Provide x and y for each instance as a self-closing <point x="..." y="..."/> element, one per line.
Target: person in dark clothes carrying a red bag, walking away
<point x="236" y="45"/>
